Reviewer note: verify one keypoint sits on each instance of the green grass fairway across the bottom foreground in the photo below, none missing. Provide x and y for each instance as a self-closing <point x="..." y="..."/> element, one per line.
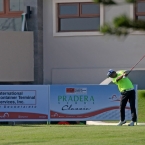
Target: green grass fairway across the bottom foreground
<point x="71" y="135"/>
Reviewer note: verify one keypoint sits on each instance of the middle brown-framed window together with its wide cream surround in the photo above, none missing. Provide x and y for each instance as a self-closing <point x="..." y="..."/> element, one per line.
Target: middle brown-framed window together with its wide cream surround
<point x="77" y="17"/>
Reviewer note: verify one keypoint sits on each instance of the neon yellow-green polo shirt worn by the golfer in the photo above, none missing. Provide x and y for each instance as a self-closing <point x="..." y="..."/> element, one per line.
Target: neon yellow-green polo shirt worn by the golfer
<point x="124" y="83"/>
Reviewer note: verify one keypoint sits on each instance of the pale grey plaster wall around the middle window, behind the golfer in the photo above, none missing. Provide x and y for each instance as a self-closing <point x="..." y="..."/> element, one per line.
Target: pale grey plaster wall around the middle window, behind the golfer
<point x="86" y="59"/>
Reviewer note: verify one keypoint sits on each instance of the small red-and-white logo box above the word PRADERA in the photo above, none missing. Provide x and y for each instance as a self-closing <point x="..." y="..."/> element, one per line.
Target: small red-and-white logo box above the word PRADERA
<point x="76" y="90"/>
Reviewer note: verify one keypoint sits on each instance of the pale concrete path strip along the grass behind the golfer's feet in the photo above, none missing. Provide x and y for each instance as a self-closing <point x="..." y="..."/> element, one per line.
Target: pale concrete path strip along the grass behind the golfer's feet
<point x="106" y="123"/>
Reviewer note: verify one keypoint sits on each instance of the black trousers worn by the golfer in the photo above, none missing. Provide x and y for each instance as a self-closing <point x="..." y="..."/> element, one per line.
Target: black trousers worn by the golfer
<point x="128" y="96"/>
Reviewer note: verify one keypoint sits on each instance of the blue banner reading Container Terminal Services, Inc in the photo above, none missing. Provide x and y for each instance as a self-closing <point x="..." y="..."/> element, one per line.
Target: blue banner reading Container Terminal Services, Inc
<point x="24" y="102"/>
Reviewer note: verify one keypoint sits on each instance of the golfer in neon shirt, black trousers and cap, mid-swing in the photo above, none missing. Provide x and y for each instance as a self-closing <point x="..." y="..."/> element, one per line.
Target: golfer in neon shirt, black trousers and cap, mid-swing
<point x="127" y="91"/>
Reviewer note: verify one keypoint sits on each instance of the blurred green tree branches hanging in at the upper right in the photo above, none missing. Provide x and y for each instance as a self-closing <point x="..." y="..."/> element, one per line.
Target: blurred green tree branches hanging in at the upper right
<point x="121" y="25"/>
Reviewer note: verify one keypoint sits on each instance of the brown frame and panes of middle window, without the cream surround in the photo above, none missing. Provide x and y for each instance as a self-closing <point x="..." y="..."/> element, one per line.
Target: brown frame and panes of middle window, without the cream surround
<point x="78" y="17"/>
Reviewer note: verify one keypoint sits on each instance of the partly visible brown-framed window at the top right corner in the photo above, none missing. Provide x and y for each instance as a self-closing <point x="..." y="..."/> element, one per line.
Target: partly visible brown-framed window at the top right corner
<point x="140" y="10"/>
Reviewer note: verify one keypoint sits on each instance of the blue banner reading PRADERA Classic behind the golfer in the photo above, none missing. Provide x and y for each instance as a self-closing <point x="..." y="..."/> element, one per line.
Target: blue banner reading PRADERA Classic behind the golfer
<point x="85" y="103"/>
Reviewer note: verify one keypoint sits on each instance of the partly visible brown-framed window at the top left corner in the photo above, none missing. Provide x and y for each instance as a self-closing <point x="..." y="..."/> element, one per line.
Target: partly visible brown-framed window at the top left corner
<point x="11" y="8"/>
